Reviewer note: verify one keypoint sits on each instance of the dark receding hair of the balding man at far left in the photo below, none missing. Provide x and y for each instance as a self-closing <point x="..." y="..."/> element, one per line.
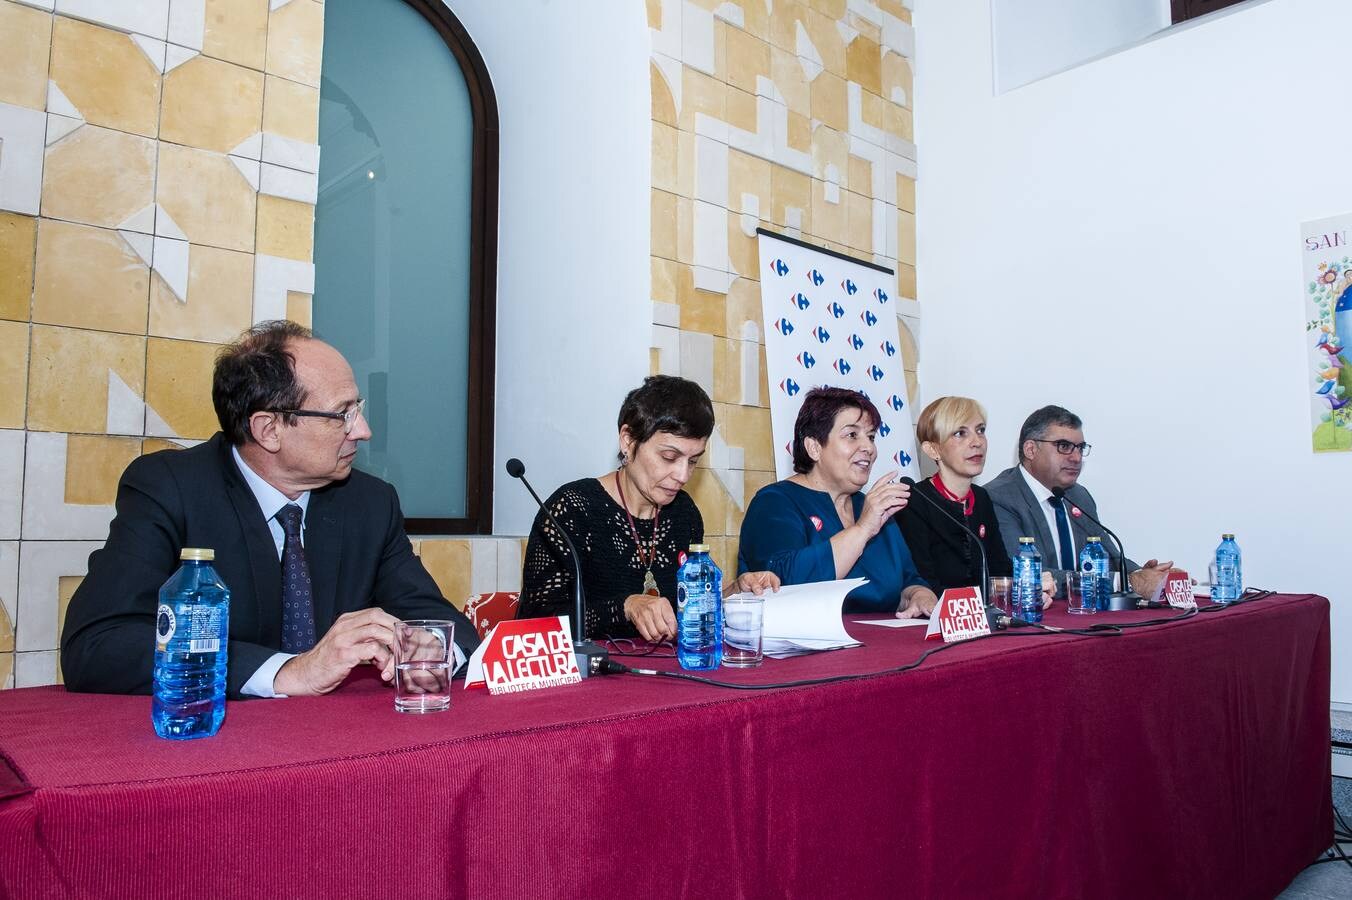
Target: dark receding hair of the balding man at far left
<point x="256" y="374"/>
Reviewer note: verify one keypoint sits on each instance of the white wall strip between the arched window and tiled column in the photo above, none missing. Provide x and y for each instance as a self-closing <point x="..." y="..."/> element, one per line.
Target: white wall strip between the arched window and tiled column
<point x="574" y="306"/>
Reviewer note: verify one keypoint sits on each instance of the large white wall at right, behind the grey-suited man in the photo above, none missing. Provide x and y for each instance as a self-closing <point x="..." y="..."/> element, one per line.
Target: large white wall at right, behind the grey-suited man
<point x="1123" y="240"/>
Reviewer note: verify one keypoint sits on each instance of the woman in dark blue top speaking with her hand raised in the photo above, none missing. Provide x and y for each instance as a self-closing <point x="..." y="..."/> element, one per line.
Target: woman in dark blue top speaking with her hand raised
<point x="820" y="525"/>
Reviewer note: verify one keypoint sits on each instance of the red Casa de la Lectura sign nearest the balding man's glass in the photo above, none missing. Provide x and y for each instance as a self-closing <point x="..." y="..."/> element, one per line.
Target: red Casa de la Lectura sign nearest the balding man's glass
<point x="525" y="655"/>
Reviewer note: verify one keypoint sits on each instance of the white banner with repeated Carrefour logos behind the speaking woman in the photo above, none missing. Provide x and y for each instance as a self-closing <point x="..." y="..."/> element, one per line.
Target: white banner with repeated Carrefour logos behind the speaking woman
<point x="831" y="321"/>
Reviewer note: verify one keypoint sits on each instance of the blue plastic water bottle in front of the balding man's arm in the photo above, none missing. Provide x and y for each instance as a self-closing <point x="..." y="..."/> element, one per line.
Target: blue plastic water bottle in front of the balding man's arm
<point x="193" y="633"/>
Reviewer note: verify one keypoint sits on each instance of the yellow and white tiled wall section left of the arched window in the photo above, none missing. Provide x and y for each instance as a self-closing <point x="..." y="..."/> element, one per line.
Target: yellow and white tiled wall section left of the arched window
<point x="159" y="168"/>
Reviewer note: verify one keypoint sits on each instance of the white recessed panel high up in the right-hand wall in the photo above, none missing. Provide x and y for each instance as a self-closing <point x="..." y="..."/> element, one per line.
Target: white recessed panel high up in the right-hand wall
<point x="1035" y="39"/>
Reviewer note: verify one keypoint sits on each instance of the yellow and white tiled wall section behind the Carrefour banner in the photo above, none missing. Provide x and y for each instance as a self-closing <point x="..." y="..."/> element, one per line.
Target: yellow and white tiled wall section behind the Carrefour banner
<point x="793" y="116"/>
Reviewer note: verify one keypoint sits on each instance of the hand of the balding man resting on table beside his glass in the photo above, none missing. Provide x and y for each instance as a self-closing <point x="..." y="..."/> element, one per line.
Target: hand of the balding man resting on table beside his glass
<point x="367" y="636"/>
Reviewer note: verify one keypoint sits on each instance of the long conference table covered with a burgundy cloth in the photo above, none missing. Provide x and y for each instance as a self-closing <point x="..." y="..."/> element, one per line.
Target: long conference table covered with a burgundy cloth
<point x="1188" y="759"/>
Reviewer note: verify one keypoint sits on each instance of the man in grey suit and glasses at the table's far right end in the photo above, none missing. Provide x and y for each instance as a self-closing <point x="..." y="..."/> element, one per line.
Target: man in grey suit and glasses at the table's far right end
<point x="1030" y="503"/>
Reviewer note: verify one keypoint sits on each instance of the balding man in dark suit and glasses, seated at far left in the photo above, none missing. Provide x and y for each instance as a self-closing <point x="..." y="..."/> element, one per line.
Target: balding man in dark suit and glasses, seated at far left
<point x="278" y="499"/>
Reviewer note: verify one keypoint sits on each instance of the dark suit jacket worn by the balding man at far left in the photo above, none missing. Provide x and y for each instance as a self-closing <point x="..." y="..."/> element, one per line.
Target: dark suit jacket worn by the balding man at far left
<point x="356" y="547"/>
